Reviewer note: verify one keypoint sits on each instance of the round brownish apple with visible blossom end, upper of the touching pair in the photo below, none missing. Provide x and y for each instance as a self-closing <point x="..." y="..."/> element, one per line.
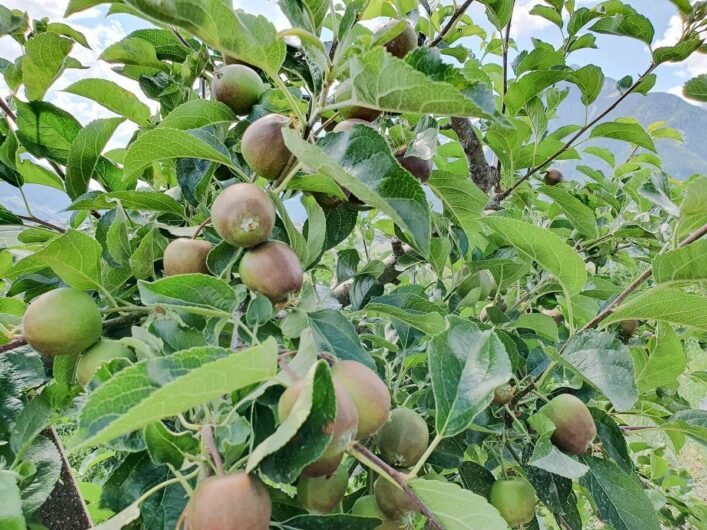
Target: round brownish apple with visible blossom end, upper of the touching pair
<point x="243" y="215"/>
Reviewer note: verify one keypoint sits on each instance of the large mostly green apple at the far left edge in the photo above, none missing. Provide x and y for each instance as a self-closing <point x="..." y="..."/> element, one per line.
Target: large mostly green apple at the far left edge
<point x="62" y="322"/>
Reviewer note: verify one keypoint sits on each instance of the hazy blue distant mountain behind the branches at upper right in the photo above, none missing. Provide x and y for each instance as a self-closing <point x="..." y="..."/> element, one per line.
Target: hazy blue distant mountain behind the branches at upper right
<point x="680" y="160"/>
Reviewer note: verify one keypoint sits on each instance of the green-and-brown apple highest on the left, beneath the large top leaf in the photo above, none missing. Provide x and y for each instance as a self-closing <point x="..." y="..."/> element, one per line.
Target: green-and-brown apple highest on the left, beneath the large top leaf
<point x="239" y="87"/>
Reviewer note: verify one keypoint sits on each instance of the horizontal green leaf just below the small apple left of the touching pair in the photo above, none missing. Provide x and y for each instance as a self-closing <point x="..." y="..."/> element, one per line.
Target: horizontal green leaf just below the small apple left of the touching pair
<point x="191" y="290"/>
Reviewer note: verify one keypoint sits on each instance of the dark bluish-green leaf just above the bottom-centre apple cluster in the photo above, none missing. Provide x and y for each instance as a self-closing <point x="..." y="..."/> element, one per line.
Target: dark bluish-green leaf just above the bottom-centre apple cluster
<point x="333" y="333"/>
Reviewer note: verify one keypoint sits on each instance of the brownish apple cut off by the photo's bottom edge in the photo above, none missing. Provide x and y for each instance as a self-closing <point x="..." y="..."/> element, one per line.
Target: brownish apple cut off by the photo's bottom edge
<point x="230" y="502"/>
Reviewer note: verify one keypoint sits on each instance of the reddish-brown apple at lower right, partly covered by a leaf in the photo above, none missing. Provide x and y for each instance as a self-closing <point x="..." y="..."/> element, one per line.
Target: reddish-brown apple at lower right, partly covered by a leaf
<point x="574" y="426"/>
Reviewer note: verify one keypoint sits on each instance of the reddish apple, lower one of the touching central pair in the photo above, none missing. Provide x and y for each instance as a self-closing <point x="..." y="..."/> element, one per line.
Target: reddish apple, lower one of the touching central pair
<point x="272" y="269"/>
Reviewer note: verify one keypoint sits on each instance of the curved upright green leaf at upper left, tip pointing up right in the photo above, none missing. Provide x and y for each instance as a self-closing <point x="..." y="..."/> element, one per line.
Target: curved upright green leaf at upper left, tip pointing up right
<point x="85" y="152"/>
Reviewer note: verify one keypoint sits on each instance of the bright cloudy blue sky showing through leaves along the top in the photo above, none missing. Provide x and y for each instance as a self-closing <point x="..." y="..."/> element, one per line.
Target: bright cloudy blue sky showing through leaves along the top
<point x="616" y="56"/>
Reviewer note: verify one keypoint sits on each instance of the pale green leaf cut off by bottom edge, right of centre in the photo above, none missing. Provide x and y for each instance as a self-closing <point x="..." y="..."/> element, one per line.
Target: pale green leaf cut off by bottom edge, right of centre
<point x="457" y="508"/>
